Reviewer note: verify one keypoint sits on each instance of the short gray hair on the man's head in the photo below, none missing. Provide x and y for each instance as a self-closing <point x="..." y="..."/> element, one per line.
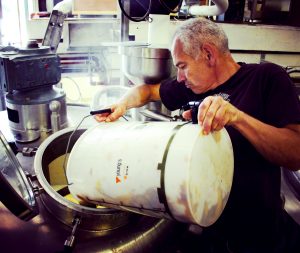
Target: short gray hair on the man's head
<point x="196" y="31"/>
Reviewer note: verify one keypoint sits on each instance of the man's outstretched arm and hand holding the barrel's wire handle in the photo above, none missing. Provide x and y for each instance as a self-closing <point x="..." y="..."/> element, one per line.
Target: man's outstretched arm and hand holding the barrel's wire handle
<point x="135" y="97"/>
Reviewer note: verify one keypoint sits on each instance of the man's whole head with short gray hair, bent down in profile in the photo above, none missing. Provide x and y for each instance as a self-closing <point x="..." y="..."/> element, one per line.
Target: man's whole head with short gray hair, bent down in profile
<point x="199" y="47"/>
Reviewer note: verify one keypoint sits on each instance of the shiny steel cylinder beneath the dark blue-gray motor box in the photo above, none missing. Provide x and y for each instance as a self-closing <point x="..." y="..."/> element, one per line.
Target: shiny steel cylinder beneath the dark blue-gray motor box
<point x="29" y="112"/>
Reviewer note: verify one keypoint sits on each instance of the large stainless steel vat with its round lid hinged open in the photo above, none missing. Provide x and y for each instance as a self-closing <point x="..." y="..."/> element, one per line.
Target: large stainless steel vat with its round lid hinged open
<point x="107" y="230"/>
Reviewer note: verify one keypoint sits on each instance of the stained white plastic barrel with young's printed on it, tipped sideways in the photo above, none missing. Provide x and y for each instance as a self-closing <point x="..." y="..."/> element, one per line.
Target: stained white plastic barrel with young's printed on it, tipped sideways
<point x="160" y="169"/>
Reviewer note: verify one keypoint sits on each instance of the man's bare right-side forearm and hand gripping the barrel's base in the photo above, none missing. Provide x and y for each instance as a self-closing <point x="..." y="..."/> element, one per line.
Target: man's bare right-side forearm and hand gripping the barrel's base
<point x="278" y="145"/>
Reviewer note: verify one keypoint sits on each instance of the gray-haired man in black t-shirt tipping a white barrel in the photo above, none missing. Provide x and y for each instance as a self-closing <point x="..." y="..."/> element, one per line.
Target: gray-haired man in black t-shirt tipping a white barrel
<point x="258" y="105"/>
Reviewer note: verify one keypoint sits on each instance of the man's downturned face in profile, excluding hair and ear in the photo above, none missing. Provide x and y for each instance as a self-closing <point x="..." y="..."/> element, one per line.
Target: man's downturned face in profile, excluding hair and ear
<point x="195" y="73"/>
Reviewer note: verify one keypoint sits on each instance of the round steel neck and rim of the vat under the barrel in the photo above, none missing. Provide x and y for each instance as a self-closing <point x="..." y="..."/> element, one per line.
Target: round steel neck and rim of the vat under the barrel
<point x="92" y="219"/>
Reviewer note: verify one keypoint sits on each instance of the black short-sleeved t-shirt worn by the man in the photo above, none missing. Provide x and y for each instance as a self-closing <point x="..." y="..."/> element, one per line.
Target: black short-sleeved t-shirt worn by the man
<point x="254" y="213"/>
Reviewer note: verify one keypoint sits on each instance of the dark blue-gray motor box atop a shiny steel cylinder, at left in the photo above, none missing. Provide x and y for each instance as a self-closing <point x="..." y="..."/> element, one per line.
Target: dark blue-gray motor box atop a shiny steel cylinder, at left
<point x="29" y="76"/>
